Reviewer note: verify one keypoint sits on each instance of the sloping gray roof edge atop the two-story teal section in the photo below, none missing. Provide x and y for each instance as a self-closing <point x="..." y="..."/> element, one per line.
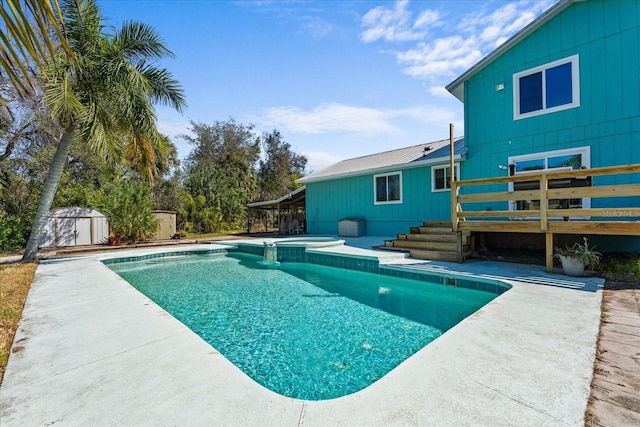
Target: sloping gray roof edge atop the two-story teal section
<point x="457" y="86"/>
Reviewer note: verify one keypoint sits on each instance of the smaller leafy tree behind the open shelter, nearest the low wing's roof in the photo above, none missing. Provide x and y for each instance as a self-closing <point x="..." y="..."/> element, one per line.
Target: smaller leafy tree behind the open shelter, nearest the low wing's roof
<point x="280" y="168"/>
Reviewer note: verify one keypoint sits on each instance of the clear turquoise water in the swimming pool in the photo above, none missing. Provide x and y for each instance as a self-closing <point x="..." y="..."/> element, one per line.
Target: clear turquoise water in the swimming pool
<point x="302" y="330"/>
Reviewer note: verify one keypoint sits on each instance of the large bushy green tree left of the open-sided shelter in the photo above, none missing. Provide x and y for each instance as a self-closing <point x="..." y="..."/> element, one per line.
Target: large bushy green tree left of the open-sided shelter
<point x="221" y="168"/>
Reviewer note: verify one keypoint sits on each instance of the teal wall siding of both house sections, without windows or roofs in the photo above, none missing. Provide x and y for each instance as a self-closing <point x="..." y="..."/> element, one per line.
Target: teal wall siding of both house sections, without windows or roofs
<point x="606" y="36"/>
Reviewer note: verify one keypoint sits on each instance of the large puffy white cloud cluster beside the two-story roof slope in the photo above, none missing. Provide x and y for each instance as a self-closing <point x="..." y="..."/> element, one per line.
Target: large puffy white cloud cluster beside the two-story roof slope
<point x="473" y="35"/>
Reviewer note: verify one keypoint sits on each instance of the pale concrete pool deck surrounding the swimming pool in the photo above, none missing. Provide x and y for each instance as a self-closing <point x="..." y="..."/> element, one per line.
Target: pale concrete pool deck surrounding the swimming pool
<point x="91" y="350"/>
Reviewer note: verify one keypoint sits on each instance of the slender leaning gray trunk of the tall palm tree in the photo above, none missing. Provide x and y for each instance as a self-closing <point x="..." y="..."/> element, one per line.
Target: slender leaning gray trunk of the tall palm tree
<point x="48" y="193"/>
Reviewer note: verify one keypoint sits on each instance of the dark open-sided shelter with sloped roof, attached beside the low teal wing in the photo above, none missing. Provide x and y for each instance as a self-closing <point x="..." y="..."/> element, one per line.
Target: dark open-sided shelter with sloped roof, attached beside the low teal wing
<point x="288" y="212"/>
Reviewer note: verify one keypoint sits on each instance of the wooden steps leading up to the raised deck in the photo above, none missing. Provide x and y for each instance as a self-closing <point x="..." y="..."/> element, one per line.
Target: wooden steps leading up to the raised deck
<point x="433" y="240"/>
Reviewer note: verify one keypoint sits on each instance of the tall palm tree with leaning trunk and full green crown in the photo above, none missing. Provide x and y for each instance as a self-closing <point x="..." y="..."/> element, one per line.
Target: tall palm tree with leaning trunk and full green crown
<point x="103" y="95"/>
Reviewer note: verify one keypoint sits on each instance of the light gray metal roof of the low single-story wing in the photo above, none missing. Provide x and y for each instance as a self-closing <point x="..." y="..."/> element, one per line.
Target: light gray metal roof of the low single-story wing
<point x="402" y="158"/>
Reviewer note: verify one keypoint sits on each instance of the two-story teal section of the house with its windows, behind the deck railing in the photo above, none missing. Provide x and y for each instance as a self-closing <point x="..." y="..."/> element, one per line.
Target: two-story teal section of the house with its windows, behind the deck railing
<point x="562" y="94"/>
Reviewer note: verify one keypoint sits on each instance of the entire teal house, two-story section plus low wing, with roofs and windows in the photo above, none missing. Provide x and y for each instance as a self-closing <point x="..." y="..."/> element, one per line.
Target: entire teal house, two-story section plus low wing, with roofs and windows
<point x="562" y="94"/>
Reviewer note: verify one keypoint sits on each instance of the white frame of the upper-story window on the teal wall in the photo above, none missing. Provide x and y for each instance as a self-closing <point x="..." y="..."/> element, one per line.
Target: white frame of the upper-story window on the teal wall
<point x="574" y="60"/>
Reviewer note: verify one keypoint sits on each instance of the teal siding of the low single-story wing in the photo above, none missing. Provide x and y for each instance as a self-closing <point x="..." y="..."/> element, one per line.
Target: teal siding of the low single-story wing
<point x="330" y="201"/>
